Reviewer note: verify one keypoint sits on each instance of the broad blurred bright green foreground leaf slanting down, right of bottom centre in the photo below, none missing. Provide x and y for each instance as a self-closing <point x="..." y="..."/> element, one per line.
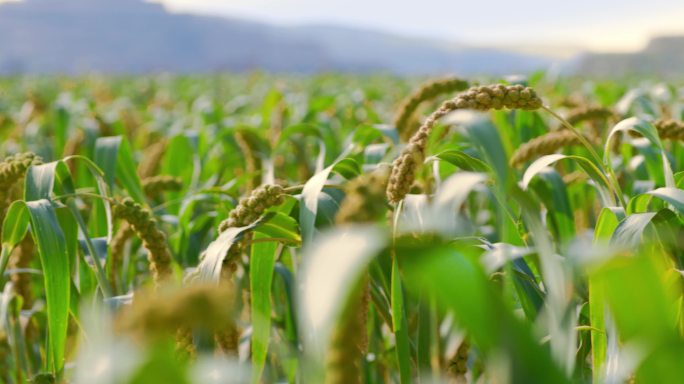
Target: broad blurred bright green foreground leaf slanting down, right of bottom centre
<point x="459" y="285"/>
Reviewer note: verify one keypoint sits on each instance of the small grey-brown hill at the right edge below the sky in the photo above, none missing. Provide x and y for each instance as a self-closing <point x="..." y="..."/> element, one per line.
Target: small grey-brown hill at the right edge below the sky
<point x="663" y="56"/>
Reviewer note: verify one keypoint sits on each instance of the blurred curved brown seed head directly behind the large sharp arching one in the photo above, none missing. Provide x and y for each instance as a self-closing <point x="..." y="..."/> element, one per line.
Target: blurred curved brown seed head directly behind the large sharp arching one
<point x="428" y="91"/>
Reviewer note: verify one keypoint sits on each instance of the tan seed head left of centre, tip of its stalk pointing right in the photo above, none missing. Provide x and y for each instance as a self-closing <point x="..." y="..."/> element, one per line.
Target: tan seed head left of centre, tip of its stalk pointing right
<point x="249" y="209"/>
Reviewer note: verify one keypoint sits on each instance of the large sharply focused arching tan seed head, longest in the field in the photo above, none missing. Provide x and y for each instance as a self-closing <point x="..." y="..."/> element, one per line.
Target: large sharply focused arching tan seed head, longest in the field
<point x="481" y="98"/>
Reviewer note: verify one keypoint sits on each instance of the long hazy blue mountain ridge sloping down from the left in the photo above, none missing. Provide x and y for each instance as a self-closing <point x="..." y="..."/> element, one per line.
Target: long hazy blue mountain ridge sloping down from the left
<point x="132" y="36"/>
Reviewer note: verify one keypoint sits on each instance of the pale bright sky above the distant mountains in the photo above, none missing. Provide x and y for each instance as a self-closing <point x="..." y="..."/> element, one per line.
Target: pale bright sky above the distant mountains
<point x="597" y="25"/>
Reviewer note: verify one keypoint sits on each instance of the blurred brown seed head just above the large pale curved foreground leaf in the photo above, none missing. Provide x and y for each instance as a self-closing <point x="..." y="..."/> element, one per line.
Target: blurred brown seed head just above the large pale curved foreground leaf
<point x="365" y="198"/>
